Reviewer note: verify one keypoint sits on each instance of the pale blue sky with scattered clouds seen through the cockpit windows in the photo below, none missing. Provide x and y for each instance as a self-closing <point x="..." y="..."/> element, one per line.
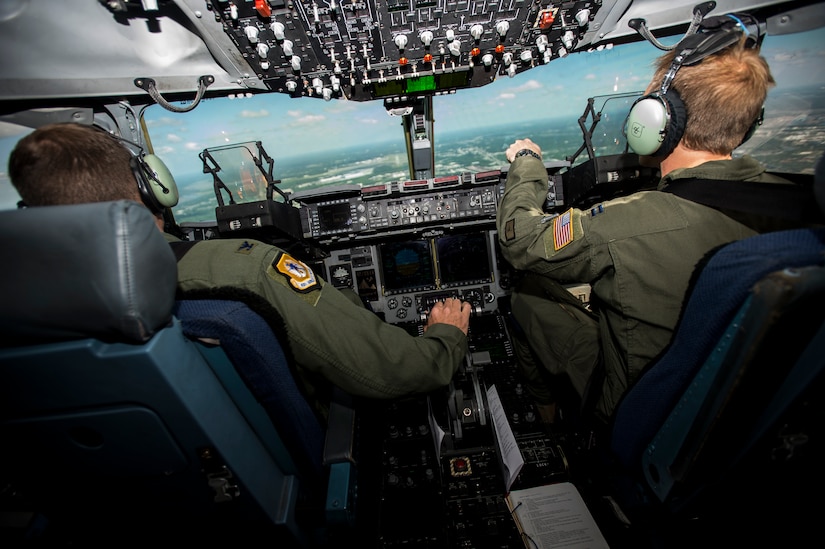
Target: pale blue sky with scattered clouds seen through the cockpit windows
<point x="287" y="125"/>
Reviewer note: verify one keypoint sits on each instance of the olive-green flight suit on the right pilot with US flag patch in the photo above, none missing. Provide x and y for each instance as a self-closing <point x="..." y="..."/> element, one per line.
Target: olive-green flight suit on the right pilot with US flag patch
<point x="637" y="252"/>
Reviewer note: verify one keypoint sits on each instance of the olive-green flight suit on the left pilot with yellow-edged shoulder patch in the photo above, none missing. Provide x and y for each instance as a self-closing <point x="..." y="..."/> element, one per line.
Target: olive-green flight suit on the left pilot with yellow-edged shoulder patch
<point x="332" y="339"/>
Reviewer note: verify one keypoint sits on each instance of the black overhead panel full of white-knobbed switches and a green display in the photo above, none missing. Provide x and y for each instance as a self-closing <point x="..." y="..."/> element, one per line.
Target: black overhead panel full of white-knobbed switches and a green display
<point x="365" y="50"/>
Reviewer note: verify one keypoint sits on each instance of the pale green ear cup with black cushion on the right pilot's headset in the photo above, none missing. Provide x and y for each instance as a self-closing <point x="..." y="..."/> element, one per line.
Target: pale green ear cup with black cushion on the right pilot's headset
<point x="655" y="124"/>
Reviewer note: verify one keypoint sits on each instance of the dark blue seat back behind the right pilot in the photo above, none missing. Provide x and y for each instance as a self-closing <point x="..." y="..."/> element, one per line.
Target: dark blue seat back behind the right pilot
<point x="748" y="348"/>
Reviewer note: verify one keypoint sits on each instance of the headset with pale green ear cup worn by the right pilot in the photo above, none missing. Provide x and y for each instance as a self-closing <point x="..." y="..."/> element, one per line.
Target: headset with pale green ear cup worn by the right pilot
<point x="656" y="122"/>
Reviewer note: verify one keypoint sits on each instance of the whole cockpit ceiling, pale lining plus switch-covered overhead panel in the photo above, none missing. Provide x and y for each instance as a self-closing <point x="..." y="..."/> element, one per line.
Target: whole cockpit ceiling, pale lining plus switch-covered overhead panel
<point x="331" y="49"/>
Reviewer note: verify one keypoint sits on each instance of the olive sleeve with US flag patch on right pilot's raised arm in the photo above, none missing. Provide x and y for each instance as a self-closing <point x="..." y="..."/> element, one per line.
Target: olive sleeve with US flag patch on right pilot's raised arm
<point x="555" y="245"/>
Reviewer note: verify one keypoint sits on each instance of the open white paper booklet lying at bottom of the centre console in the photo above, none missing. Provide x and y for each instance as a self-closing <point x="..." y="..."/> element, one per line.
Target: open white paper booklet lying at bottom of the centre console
<point x="554" y="516"/>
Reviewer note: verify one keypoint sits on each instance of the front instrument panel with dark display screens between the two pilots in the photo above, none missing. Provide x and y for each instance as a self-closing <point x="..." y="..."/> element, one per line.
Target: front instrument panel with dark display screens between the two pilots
<point x="402" y="246"/>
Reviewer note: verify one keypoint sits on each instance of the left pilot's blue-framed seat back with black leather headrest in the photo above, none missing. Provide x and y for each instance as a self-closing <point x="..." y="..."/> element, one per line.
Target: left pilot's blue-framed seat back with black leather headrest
<point x="115" y="427"/>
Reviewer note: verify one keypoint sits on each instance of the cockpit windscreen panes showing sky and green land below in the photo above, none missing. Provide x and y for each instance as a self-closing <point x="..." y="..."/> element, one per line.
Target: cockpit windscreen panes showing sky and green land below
<point x="319" y="144"/>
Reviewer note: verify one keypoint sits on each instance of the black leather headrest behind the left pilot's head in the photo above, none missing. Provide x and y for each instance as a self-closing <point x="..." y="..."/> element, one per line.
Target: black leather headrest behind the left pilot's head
<point x="100" y="270"/>
